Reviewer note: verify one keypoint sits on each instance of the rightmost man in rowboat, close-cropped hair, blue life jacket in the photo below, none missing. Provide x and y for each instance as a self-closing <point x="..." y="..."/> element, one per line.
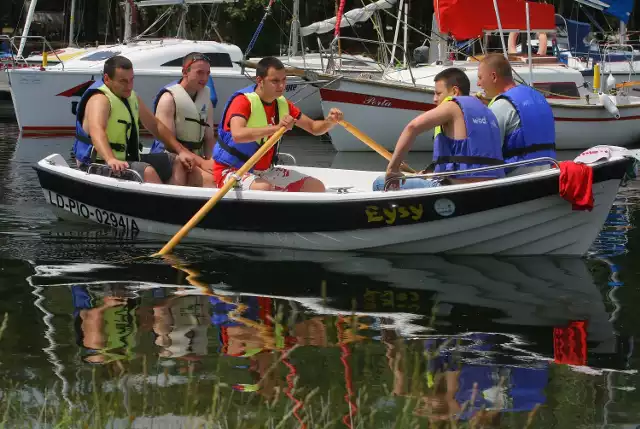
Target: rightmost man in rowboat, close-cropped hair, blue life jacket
<point x="527" y="125"/>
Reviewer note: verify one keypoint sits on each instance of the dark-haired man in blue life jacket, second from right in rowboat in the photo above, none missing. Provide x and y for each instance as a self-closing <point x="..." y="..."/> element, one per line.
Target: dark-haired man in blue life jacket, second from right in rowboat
<point x="466" y="136"/>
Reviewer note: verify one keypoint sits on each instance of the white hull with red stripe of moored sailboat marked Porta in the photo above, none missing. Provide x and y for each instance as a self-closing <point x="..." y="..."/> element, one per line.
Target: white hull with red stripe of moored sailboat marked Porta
<point x="383" y="110"/>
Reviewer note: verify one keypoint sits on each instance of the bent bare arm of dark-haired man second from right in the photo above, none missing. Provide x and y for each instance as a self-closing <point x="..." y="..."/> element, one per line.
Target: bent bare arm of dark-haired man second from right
<point x="426" y="121"/>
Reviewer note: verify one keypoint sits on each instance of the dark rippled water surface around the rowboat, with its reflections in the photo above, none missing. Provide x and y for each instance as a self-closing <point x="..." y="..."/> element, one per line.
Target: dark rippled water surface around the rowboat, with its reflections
<point x="230" y="337"/>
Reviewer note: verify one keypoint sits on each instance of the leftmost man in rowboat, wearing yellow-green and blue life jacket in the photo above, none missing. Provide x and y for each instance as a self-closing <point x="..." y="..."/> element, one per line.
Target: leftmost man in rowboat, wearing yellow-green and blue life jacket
<point x="107" y="130"/>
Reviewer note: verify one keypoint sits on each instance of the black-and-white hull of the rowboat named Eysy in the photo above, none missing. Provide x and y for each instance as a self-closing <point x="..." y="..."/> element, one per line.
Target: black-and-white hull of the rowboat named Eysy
<point x="514" y="216"/>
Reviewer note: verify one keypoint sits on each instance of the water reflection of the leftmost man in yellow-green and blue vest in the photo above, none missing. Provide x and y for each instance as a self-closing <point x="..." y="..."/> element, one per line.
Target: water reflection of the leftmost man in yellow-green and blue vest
<point x="107" y="332"/>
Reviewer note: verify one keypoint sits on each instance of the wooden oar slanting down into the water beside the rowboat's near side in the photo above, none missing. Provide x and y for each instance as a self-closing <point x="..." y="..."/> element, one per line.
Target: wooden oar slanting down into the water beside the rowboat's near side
<point x="220" y="193"/>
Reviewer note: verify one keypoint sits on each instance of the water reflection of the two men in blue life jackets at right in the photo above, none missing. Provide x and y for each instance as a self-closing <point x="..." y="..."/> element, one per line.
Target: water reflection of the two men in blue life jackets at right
<point x="472" y="392"/>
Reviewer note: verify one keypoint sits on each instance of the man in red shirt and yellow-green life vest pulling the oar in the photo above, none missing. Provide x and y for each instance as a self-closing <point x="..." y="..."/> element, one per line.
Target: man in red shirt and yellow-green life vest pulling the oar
<point x="252" y="115"/>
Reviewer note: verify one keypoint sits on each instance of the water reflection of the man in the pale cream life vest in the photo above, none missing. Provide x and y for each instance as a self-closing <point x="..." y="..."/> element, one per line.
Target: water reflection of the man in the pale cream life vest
<point x="180" y="324"/>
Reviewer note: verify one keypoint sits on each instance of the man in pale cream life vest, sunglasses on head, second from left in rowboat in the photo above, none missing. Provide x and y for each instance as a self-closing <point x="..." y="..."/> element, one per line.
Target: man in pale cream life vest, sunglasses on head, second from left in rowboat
<point x="186" y="108"/>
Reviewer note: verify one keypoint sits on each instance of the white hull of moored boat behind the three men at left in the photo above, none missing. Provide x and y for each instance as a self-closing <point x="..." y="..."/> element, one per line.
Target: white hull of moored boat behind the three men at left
<point x="45" y="101"/>
